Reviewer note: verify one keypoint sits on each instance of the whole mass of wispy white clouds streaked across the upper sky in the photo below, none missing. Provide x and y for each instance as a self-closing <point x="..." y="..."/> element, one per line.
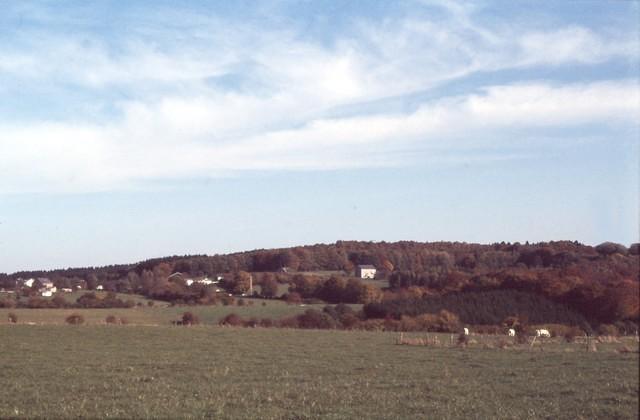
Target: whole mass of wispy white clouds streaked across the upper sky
<point x="230" y="97"/>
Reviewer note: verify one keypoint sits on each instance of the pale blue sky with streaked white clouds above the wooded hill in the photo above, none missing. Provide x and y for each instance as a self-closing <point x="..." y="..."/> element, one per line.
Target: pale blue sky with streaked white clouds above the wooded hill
<point x="140" y="129"/>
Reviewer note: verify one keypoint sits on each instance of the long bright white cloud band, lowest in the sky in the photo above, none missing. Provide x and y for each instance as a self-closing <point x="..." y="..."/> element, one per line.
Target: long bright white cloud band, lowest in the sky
<point x="176" y="140"/>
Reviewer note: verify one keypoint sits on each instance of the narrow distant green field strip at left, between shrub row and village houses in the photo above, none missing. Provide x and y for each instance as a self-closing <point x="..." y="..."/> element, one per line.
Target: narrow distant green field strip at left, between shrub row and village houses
<point x="156" y="315"/>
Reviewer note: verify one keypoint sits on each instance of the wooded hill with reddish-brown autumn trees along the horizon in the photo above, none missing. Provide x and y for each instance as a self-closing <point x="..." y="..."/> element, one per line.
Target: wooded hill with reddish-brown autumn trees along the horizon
<point x="601" y="283"/>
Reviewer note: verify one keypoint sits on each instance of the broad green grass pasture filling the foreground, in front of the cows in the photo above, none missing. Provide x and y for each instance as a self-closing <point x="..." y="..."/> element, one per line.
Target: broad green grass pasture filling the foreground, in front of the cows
<point x="175" y="372"/>
